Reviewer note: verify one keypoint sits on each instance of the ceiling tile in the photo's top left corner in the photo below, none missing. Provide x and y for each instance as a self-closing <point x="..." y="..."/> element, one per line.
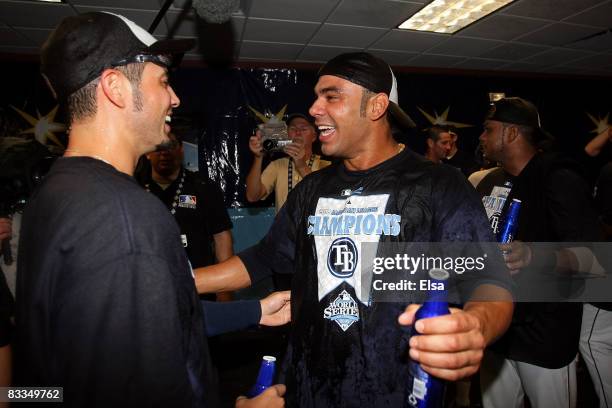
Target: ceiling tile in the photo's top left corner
<point x="33" y="14"/>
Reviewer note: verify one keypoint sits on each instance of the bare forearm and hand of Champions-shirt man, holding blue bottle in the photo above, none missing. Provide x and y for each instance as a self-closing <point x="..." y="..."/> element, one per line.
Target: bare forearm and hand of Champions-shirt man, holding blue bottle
<point x="451" y="347"/>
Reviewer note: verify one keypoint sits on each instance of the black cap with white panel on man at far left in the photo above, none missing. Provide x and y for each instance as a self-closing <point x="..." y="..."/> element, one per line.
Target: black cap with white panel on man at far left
<point x="83" y="46"/>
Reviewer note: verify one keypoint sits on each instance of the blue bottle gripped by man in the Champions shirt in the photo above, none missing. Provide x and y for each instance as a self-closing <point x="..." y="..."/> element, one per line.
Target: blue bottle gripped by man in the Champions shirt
<point x="425" y="390"/>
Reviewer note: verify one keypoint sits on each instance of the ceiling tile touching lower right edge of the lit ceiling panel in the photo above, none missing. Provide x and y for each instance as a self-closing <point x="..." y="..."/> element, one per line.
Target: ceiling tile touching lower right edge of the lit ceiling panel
<point x="500" y="27"/>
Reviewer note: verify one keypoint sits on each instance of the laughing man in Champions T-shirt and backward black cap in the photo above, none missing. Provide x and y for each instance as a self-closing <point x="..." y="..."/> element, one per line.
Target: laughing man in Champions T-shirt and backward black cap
<point x="345" y="349"/>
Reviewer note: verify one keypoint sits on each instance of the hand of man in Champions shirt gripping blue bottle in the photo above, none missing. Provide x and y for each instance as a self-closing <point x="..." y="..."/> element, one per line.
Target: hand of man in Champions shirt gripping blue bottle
<point x="449" y="347"/>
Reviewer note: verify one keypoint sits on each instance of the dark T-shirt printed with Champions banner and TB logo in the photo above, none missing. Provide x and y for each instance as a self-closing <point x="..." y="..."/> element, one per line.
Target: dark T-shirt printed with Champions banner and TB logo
<point x="346" y="351"/>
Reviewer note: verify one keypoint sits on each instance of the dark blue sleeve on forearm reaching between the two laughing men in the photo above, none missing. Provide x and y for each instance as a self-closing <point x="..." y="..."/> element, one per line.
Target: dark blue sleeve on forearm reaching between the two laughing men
<point x="224" y="317"/>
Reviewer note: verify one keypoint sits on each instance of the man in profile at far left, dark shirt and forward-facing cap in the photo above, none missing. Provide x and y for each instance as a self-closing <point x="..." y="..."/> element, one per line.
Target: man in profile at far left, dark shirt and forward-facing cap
<point x="106" y="303"/>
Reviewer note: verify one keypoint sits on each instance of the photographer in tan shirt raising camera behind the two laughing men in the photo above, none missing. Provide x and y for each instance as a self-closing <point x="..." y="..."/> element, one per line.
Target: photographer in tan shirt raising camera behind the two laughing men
<point x="283" y="174"/>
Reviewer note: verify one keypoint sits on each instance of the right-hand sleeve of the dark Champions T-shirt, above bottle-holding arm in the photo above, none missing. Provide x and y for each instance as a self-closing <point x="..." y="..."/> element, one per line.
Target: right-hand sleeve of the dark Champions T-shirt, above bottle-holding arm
<point x="461" y="221"/>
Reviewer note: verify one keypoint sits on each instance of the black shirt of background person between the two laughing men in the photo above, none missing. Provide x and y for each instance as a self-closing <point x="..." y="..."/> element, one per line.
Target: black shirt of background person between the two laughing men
<point x="199" y="212"/>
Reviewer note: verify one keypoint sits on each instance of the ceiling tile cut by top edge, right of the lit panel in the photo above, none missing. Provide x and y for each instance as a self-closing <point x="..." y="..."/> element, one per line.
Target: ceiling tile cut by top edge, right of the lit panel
<point x="548" y="9"/>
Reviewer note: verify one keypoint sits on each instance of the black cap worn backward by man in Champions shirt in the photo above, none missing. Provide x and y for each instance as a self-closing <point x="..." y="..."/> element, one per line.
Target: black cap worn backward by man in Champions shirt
<point x="372" y="73"/>
